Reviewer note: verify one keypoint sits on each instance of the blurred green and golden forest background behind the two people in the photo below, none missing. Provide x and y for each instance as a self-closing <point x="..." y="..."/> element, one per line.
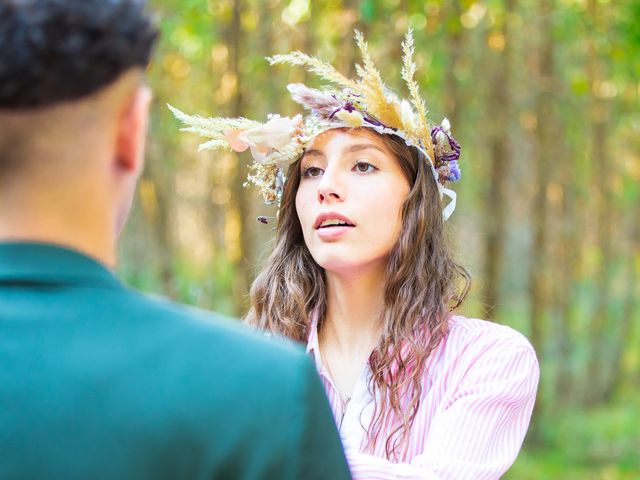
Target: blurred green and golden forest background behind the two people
<point x="542" y="94"/>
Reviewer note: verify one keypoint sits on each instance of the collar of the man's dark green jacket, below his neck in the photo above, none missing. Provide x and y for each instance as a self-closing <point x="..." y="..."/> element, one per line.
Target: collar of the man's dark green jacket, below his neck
<point x="43" y="263"/>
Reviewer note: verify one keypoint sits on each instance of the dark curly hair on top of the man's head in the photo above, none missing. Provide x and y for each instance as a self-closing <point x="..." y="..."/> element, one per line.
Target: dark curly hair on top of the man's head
<point x="57" y="50"/>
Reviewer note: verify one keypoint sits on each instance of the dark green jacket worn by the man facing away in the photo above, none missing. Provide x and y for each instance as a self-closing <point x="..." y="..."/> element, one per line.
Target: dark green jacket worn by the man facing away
<point x="100" y="382"/>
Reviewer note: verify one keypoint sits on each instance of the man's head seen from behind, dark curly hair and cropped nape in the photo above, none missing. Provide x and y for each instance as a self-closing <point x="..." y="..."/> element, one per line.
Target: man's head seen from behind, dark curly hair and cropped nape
<point x="73" y="107"/>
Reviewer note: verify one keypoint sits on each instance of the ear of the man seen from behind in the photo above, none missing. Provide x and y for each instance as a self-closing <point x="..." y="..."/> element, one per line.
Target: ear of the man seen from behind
<point x="131" y="131"/>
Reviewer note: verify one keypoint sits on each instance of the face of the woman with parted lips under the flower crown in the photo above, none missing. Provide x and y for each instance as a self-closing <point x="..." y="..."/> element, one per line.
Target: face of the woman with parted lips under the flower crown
<point x="349" y="201"/>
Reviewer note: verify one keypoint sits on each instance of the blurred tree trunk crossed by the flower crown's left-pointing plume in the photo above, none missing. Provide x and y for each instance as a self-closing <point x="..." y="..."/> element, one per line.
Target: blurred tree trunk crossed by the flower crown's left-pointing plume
<point x="239" y="210"/>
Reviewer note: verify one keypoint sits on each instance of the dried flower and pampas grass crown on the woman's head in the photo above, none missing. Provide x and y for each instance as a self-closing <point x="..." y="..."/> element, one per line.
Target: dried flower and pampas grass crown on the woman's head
<point x="365" y="102"/>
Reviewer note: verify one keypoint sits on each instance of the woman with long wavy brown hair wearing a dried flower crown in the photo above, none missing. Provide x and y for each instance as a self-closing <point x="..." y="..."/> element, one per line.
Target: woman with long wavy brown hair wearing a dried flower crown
<point x="362" y="274"/>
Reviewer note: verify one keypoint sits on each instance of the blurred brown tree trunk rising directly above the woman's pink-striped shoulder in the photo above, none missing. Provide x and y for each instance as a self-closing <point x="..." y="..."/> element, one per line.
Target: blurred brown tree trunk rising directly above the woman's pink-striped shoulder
<point x="499" y="109"/>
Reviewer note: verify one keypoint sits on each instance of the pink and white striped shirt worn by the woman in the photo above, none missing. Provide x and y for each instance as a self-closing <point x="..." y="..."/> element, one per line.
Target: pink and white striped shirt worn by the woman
<point x="478" y="393"/>
